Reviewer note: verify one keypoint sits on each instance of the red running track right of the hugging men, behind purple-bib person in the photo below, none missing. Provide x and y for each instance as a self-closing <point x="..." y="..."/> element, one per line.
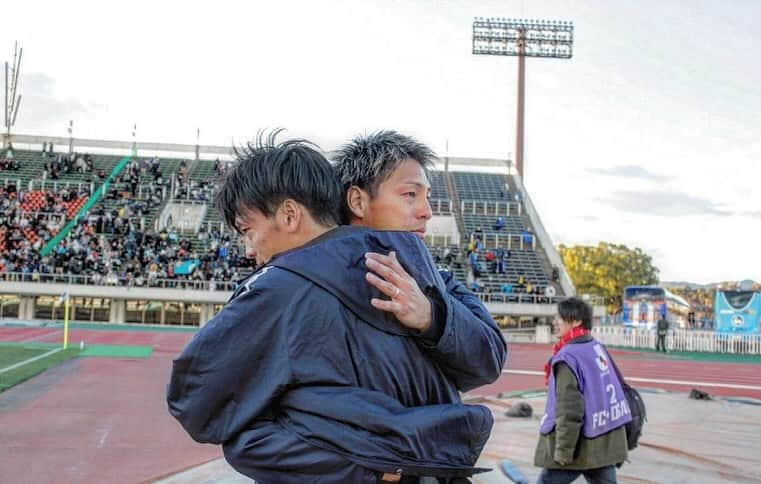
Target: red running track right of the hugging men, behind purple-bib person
<point x="638" y="365"/>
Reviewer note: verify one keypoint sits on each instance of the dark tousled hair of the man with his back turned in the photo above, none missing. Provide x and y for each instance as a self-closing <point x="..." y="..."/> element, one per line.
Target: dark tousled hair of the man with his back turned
<point x="267" y="173"/>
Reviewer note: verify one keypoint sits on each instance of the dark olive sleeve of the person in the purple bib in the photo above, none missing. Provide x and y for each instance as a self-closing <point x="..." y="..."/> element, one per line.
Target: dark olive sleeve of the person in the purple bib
<point x="569" y="413"/>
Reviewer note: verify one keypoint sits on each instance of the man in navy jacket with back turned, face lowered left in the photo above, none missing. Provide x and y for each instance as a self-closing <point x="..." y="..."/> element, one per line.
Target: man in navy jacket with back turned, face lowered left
<point x="299" y="376"/>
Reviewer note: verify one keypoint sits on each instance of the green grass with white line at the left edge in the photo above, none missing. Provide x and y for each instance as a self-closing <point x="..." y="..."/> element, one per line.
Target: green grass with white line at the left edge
<point x="12" y="354"/>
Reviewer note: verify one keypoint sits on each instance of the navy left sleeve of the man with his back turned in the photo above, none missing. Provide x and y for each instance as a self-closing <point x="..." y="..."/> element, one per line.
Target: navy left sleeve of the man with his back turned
<point x="232" y="369"/>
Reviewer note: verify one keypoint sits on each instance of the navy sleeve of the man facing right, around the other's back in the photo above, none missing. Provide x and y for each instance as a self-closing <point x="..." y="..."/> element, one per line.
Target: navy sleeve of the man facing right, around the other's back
<point x="463" y="338"/>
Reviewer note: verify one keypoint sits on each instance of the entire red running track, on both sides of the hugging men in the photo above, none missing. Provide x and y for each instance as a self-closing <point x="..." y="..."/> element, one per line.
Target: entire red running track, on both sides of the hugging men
<point x="105" y="420"/>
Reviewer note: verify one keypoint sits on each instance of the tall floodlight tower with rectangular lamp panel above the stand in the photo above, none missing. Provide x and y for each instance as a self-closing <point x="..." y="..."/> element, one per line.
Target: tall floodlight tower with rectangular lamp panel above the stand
<point x="522" y="38"/>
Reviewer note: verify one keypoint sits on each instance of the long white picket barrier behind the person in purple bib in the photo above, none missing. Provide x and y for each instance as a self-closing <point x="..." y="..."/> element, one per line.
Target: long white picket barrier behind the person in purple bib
<point x="680" y="340"/>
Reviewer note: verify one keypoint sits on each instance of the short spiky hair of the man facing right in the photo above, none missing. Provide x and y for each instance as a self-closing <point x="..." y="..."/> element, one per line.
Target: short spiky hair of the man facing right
<point x="368" y="160"/>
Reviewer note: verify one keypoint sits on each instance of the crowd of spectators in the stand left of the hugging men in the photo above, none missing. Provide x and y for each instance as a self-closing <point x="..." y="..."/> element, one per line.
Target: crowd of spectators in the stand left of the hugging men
<point x="111" y="245"/>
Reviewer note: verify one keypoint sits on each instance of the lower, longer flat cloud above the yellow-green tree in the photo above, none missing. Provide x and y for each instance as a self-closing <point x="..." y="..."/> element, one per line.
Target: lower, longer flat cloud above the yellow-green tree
<point x="663" y="204"/>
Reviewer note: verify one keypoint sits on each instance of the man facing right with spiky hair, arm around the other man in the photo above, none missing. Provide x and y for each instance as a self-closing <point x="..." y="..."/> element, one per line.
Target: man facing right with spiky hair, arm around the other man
<point x="384" y="176"/>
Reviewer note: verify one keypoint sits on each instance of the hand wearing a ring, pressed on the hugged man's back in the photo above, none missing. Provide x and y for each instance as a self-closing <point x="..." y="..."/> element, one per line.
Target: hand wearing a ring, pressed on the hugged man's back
<point x="408" y="303"/>
